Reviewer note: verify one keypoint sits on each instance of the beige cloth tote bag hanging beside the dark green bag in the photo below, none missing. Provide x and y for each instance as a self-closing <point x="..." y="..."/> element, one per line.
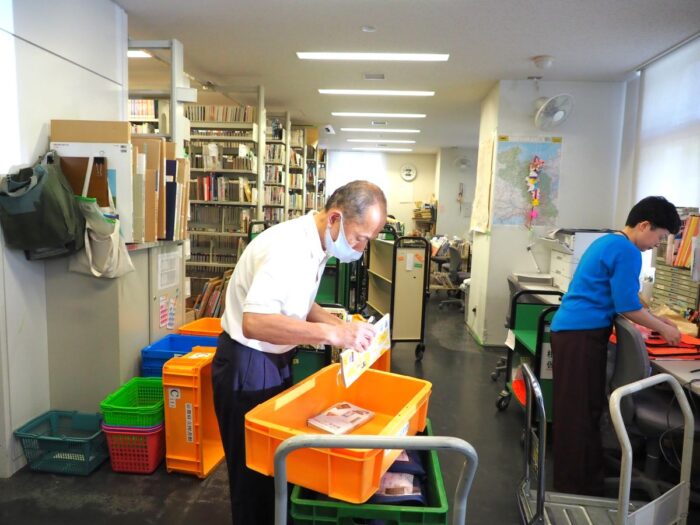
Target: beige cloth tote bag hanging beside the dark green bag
<point x="105" y="254"/>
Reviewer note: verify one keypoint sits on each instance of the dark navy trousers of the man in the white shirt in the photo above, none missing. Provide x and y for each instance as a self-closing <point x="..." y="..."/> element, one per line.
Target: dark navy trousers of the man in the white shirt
<point x="242" y="378"/>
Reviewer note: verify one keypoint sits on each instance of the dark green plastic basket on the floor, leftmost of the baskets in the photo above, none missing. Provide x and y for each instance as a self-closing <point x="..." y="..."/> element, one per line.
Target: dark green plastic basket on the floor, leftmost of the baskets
<point x="64" y="442"/>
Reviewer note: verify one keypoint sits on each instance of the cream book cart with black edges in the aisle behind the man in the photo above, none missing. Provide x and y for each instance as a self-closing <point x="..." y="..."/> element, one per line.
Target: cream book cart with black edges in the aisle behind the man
<point x="397" y="283"/>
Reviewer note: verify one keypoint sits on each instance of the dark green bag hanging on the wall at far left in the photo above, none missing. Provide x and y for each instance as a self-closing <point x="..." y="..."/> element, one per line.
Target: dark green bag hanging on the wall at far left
<point x="38" y="213"/>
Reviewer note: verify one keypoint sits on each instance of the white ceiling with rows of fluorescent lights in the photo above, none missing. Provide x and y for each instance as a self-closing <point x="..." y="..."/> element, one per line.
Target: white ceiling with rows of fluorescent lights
<point x="251" y="42"/>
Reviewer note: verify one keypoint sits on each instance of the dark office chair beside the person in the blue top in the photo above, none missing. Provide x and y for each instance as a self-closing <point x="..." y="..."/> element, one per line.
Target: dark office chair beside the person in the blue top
<point x="650" y="414"/>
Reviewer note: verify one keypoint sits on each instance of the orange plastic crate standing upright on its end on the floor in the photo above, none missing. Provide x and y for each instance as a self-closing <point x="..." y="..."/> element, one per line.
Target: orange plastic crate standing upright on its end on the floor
<point x="192" y="439"/>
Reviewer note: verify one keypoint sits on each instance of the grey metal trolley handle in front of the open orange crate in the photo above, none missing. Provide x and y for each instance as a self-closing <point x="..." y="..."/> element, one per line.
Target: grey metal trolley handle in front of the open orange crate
<point x="377" y="442"/>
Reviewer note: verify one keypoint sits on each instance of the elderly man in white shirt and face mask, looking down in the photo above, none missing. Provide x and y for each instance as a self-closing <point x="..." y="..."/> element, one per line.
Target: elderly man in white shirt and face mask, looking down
<point x="270" y="309"/>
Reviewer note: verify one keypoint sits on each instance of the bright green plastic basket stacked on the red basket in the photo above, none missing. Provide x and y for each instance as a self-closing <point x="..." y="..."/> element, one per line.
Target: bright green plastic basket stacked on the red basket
<point x="137" y="403"/>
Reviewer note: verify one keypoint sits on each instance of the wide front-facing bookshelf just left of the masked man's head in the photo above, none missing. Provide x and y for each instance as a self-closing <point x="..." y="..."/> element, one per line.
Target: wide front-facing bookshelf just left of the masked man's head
<point x="225" y="149"/>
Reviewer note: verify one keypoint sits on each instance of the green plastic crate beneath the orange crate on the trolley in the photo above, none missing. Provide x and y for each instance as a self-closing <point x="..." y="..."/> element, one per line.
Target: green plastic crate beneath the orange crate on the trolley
<point x="307" y="510"/>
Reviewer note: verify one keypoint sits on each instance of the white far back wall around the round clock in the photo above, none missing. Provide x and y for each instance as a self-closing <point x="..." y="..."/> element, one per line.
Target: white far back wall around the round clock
<point x="383" y="170"/>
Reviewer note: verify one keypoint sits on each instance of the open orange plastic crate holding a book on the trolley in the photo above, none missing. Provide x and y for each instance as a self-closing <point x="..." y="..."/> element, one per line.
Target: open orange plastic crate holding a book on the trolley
<point x="400" y="404"/>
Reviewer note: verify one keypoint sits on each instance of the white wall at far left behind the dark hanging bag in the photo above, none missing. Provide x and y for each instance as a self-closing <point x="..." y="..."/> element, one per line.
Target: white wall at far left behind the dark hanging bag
<point x="59" y="60"/>
